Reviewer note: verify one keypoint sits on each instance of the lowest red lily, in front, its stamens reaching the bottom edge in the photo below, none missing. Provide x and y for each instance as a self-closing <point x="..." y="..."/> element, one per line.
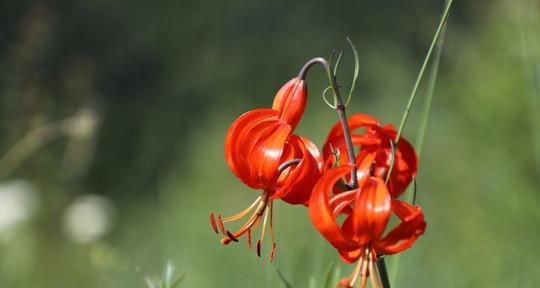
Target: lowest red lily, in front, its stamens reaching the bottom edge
<point x="360" y="237"/>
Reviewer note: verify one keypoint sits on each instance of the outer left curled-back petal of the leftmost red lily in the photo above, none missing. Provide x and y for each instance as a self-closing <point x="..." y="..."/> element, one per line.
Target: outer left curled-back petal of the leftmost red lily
<point x="235" y="139"/>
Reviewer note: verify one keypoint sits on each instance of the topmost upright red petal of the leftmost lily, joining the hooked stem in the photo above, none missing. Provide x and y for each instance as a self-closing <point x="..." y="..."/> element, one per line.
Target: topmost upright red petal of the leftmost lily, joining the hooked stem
<point x="290" y="101"/>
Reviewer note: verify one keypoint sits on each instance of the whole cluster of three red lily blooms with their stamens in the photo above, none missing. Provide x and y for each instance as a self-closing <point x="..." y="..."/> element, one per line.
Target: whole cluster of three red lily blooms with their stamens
<point x="350" y="198"/>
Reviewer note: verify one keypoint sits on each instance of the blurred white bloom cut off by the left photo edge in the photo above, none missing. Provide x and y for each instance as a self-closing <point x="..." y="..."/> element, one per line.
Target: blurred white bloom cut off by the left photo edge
<point x="18" y="202"/>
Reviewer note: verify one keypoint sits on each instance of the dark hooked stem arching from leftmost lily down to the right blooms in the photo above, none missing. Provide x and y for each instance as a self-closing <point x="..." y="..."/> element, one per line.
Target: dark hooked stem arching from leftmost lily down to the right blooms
<point x="340" y="107"/>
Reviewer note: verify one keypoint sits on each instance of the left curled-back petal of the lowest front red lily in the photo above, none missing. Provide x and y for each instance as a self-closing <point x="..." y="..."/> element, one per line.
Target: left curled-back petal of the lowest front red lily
<point x="321" y="214"/>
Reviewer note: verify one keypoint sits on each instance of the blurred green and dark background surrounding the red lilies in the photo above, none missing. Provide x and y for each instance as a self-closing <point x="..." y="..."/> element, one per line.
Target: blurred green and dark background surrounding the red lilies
<point x="113" y="116"/>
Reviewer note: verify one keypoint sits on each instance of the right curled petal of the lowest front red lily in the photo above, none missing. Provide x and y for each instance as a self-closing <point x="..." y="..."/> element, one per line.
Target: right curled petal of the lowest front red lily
<point x="405" y="234"/>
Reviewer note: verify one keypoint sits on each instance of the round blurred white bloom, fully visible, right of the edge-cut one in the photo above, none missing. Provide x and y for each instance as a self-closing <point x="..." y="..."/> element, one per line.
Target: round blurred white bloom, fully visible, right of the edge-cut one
<point x="88" y="218"/>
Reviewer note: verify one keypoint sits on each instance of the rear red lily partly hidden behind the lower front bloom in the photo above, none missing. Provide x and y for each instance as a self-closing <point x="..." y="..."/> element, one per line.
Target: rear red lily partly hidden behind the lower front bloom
<point x="377" y="141"/>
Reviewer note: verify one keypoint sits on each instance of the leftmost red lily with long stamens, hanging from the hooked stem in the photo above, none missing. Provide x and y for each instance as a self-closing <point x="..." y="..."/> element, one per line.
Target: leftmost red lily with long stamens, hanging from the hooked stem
<point x="262" y="152"/>
